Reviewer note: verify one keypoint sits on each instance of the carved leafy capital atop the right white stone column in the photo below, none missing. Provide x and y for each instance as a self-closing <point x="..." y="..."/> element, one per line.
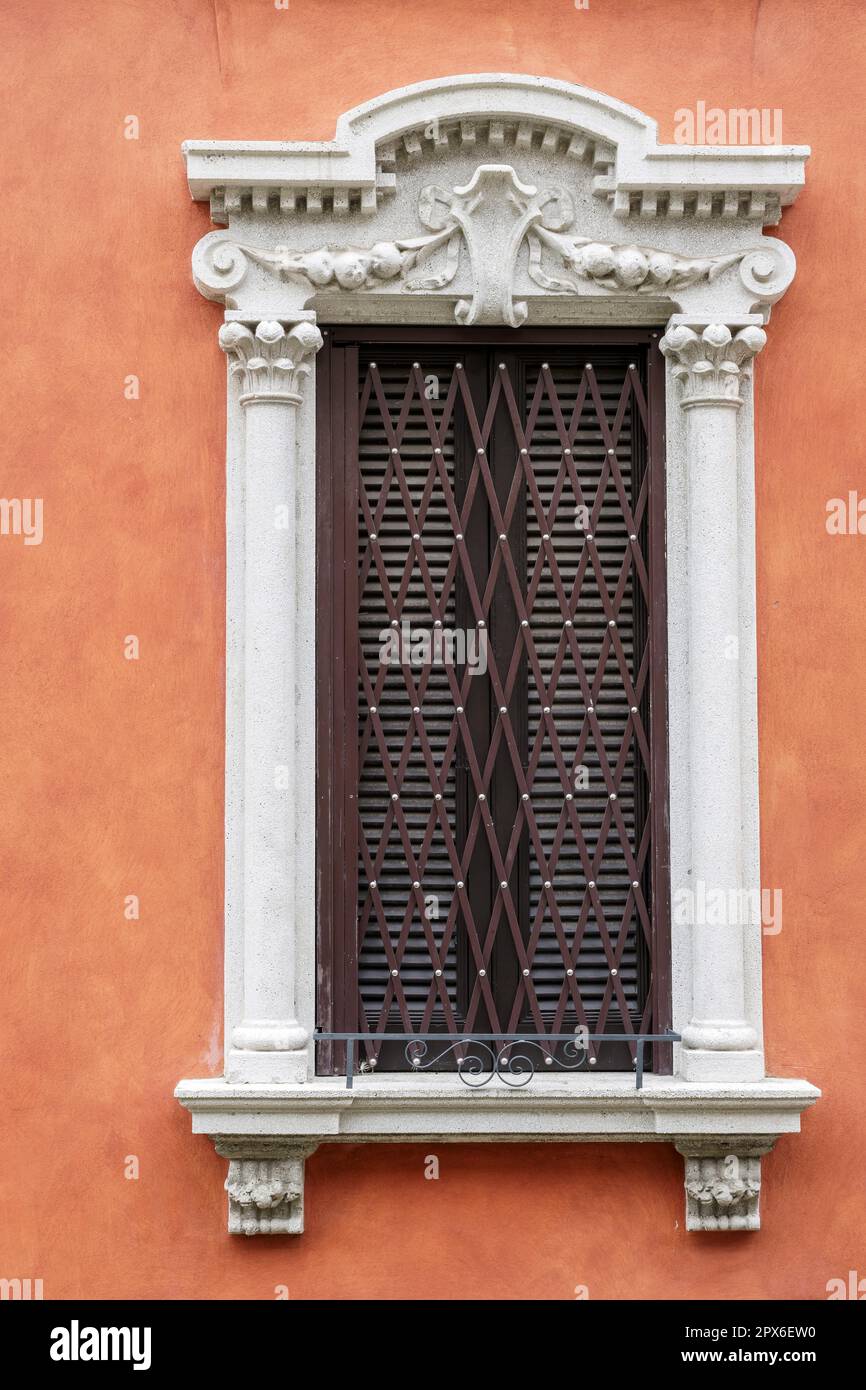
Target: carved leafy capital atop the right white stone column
<point x="712" y="365"/>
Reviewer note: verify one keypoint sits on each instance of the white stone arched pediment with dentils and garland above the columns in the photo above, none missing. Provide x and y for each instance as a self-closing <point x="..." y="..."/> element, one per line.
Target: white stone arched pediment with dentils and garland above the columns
<point x="500" y="199"/>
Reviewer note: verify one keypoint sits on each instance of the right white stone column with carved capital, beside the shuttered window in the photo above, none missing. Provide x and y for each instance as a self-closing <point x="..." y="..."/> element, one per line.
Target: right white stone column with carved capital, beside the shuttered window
<point x="711" y="366"/>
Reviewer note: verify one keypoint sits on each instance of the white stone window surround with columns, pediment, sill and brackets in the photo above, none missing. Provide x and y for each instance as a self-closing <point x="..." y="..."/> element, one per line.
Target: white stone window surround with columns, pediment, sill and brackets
<point x="404" y="219"/>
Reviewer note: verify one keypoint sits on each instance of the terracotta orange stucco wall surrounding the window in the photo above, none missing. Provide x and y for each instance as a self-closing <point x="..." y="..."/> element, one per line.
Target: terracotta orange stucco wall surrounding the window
<point x="113" y="769"/>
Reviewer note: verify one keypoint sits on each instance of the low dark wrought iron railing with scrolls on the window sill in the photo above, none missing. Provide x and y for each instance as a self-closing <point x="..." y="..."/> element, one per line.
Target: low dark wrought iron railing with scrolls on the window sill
<point x="500" y="1056"/>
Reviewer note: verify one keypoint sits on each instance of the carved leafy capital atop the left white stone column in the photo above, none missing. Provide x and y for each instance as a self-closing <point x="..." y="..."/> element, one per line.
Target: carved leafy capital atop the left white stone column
<point x="272" y="362"/>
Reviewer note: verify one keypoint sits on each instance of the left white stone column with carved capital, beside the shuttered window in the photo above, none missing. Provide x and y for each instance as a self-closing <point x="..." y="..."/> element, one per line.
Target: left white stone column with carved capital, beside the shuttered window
<point x="272" y="363"/>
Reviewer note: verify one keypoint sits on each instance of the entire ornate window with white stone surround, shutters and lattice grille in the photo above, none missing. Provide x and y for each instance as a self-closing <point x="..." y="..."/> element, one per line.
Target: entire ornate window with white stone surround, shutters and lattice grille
<point x="505" y="208"/>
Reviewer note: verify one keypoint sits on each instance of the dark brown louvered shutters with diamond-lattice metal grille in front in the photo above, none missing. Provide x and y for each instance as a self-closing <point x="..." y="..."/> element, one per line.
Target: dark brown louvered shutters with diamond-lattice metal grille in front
<point x="441" y="799"/>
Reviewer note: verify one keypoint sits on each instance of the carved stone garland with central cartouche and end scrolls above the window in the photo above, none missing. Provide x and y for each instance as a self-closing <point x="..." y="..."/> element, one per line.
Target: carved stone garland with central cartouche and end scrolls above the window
<point x="493" y="216"/>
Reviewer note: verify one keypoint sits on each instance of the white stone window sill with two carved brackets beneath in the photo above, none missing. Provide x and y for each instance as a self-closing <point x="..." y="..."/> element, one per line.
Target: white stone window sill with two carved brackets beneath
<point x="269" y="1132"/>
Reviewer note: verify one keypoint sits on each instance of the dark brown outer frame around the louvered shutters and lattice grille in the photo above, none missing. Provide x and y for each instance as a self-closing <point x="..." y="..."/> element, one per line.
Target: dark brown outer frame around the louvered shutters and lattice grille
<point x="336" y="697"/>
